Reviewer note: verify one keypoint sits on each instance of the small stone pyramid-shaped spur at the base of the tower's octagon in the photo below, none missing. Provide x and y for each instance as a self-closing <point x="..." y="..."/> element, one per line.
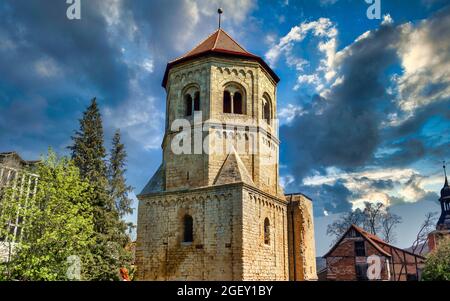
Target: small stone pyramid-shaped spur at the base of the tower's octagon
<point x="233" y="171"/>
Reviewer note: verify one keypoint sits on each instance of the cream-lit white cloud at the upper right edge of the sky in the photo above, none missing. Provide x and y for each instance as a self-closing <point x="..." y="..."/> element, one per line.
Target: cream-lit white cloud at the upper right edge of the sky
<point x="424" y="53"/>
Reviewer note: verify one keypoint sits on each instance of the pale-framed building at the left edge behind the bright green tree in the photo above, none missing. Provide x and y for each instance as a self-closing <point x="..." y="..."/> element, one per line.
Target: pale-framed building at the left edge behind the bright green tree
<point x="17" y="174"/>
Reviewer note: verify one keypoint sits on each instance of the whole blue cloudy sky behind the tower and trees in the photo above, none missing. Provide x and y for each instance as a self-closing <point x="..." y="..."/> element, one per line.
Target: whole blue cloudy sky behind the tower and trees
<point x="364" y="105"/>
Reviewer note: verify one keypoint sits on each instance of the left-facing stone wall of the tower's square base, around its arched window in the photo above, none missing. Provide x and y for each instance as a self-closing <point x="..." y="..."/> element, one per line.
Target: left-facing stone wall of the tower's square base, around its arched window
<point x="215" y="253"/>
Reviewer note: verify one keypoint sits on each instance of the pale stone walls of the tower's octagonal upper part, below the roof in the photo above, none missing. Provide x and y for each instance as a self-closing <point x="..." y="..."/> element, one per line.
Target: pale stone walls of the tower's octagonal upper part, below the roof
<point x="210" y="76"/>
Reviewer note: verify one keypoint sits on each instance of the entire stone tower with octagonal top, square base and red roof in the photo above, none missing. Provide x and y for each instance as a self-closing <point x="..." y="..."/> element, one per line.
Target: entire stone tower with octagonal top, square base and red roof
<point x="214" y="209"/>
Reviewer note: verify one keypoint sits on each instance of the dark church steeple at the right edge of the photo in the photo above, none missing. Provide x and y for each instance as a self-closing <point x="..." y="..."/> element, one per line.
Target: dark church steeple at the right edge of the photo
<point x="443" y="225"/>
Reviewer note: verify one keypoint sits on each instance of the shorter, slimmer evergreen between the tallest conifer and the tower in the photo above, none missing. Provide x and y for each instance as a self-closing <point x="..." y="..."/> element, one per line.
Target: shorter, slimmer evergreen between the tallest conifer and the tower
<point x="117" y="183"/>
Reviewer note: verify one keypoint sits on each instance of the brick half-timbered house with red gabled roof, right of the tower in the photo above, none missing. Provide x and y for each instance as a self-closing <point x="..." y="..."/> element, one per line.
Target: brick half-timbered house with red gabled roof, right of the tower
<point x="348" y="259"/>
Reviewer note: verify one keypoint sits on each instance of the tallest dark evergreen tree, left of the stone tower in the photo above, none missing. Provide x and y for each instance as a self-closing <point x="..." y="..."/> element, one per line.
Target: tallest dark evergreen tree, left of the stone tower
<point x="89" y="155"/>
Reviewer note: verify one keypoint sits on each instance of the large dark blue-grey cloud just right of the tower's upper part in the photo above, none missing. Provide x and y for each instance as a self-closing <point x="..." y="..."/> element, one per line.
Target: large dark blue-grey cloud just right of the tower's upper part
<point x="345" y="131"/>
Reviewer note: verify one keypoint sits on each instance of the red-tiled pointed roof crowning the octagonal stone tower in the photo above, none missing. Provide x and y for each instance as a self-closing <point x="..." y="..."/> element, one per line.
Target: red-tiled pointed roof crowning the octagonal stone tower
<point x="222" y="44"/>
